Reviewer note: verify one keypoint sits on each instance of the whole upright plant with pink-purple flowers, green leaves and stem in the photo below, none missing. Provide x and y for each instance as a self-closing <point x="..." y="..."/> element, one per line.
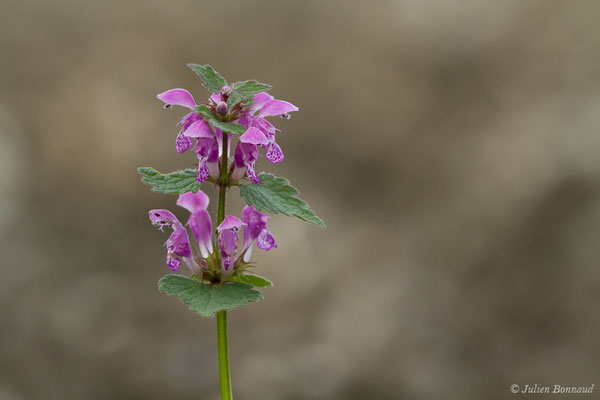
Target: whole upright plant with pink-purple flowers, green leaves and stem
<point x="217" y="258"/>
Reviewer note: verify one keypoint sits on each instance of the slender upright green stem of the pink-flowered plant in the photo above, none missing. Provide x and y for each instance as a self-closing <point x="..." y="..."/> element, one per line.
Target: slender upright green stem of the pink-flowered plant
<point x="224" y="377"/>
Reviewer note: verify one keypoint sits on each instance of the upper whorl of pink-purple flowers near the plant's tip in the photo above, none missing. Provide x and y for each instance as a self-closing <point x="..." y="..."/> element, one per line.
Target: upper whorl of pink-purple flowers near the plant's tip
<point x="259" y="133"/>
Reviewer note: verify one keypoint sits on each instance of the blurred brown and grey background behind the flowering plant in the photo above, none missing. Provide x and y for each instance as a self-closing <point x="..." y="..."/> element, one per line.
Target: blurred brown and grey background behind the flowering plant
<point x="451" y="147"/>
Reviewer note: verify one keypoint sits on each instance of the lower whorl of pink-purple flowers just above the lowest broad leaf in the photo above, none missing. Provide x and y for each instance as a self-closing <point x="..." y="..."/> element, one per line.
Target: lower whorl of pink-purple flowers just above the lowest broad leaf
<point x="202" y="260"/>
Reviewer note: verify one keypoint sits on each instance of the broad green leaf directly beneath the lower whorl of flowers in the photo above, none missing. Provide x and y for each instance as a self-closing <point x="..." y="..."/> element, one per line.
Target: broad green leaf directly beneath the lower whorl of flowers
<point x="206" y="299"/>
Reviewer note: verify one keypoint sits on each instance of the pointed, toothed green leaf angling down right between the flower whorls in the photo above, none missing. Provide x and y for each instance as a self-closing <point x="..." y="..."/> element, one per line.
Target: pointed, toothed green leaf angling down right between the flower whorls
<point x="276" y="195"/>
